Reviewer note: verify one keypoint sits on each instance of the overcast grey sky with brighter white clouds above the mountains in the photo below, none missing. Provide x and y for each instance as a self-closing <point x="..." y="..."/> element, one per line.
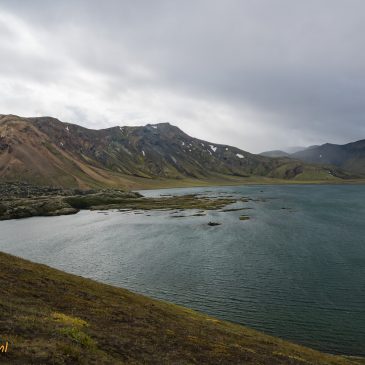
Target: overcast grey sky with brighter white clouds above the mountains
<point x="256" y="74"/>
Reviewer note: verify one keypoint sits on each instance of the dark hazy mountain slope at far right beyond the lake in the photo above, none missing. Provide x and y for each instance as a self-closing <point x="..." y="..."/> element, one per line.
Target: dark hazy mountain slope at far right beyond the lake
<point x="349" y="156"/>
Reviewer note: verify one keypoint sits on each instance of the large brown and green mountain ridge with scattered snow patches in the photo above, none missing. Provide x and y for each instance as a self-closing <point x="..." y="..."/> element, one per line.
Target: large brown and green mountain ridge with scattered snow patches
<point x="46" y="151"/>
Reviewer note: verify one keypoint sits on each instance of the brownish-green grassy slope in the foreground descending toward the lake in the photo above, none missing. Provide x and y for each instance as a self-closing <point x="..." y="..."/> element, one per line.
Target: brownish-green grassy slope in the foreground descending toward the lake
<point x="50" y="317"/>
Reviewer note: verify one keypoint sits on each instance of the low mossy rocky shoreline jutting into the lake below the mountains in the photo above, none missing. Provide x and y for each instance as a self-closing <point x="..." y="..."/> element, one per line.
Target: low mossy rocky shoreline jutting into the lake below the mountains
<point x="22" y="200"/>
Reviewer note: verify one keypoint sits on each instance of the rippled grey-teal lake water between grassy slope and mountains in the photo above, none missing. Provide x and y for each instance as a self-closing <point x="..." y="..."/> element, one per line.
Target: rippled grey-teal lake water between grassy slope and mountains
<point x="297" y="273"/>
